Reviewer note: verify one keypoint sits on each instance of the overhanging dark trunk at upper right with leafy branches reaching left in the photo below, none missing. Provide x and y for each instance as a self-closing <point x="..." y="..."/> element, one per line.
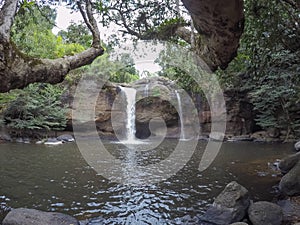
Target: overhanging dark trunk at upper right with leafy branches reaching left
<point x="219" y="25"/>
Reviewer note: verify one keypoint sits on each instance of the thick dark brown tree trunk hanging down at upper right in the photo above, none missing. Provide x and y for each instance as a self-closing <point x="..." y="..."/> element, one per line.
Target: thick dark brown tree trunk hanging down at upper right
<point x="220" y="25"/>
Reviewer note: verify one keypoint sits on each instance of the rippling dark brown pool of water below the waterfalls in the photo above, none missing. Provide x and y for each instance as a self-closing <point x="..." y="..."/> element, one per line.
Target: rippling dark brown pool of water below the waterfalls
<point x="59" y="179"/>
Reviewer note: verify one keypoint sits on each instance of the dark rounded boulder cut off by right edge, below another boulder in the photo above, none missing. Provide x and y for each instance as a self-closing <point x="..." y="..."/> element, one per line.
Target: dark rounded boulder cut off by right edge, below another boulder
<point x="290" y="182"/>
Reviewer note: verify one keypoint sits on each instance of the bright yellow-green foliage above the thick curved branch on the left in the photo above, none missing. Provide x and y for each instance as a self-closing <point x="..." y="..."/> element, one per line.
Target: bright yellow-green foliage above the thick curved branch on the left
<point x="32" y="33"/>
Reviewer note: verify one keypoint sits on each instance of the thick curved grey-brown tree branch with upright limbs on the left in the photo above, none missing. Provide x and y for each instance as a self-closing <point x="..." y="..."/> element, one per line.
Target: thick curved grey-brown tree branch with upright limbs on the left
<point x="17" y="70"/>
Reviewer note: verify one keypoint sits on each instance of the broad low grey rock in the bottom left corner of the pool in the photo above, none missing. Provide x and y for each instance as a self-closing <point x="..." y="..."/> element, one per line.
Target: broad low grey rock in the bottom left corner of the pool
<point x="24" y="216"/>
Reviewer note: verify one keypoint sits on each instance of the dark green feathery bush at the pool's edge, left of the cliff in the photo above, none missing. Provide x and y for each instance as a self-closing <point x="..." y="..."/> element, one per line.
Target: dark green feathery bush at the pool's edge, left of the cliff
<point x="37" y="107"/>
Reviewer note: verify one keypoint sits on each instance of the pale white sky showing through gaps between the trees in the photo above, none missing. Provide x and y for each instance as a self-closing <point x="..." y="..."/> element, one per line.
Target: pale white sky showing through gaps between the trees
<point x="65" y="17"/>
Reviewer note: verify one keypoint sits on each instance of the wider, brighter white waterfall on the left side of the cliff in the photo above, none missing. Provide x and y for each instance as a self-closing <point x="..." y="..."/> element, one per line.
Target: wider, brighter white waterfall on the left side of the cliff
<point x="130" y="113"/>
